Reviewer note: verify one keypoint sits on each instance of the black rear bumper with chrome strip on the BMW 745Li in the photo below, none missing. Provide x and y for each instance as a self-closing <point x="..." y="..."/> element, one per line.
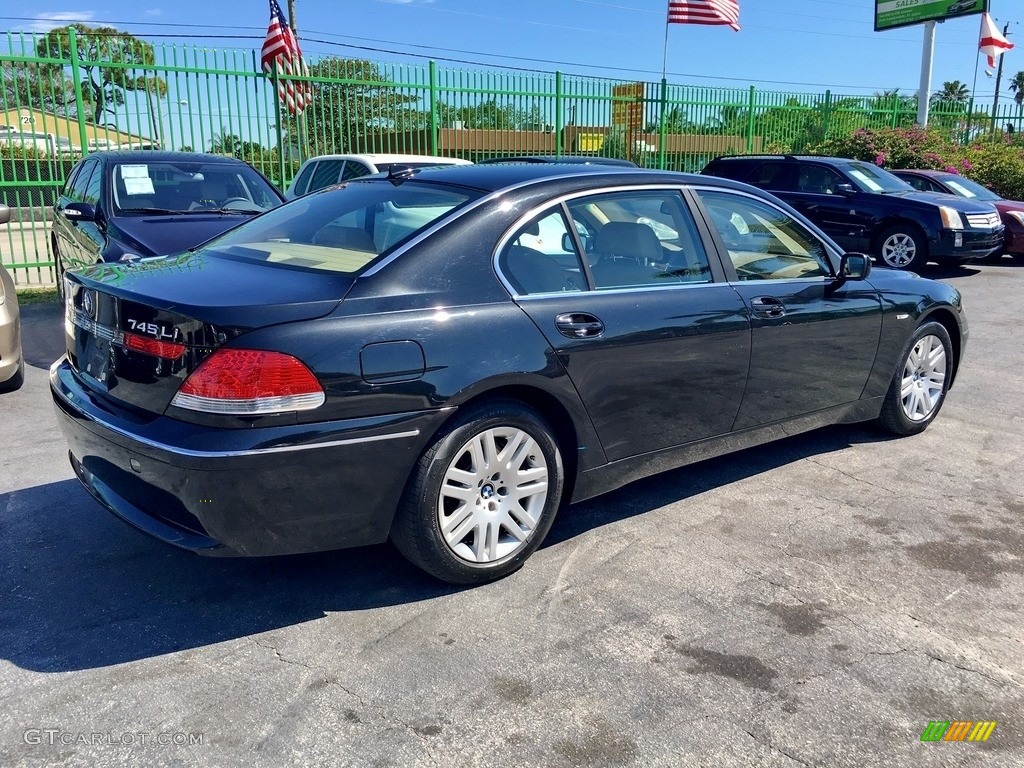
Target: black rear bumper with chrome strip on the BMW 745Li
<point x="237" y="492"/>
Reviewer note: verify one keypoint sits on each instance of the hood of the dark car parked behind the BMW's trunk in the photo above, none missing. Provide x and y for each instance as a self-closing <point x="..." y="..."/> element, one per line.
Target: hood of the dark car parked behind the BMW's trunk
<point x="161" y="235"/>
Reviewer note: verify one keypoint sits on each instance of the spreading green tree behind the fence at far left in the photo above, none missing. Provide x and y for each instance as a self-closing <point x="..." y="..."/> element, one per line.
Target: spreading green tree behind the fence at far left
<point x="111" y="62"/>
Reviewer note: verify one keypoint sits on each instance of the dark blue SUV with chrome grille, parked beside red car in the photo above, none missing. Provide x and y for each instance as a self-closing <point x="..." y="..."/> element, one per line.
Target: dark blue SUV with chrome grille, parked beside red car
<point x="866" y="208"/>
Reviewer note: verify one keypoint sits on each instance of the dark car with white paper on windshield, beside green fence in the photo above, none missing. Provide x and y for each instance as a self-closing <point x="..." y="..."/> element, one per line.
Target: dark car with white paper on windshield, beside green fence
<point x="122" y="206"/>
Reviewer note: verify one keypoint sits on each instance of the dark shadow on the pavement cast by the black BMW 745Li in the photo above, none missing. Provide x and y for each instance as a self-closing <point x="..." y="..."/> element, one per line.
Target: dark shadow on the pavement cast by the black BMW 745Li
<point x="83" y="590"/>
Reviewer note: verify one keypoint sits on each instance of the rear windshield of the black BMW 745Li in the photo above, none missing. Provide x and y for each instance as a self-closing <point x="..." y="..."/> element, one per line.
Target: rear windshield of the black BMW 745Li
<point x="343" y="230"/>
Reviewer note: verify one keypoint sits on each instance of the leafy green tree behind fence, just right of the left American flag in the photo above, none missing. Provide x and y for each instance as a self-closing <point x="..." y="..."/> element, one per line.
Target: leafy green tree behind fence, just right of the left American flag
<point x="353" y="104"/>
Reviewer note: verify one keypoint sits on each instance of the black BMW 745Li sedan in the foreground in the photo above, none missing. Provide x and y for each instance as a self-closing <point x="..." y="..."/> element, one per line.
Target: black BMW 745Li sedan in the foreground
<point x="447" y="358"/>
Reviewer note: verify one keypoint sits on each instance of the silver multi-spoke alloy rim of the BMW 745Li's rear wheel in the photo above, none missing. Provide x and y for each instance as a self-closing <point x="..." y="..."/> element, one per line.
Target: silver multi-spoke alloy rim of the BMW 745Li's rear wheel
<point x="493" y="495"/>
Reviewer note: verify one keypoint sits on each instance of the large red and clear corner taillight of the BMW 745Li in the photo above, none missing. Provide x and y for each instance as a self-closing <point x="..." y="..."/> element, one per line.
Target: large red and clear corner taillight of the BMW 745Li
<point x="250" y="381"/>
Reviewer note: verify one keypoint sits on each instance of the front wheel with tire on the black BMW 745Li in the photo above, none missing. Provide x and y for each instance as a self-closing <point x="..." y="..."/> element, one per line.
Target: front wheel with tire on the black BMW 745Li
<point x="920" y="386"/>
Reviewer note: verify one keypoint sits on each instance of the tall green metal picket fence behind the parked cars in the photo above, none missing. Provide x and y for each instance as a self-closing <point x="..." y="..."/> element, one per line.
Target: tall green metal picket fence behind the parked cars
<point x="66" y="95"/>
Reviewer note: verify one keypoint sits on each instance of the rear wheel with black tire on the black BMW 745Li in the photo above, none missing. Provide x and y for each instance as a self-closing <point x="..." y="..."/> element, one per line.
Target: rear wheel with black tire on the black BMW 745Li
<point x="484" y="495"/>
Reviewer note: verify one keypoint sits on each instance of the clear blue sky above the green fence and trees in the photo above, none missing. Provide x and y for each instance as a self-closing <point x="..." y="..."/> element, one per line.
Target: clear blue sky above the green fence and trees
<point x="800" y="46"/>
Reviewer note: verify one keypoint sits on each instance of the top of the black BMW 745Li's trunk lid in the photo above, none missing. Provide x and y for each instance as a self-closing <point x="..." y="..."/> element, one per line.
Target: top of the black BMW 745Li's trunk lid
<point x="221" y="290"/>
